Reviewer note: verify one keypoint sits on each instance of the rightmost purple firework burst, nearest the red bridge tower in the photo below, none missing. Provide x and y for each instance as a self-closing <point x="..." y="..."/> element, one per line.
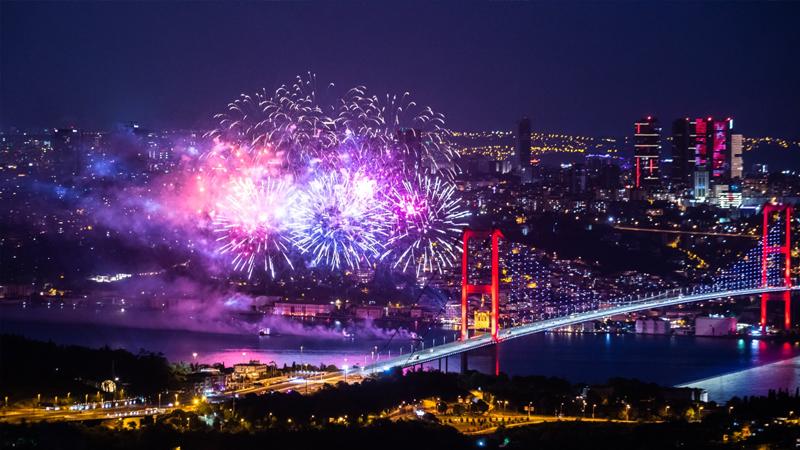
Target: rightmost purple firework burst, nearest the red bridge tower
<point x="429" y="219"/>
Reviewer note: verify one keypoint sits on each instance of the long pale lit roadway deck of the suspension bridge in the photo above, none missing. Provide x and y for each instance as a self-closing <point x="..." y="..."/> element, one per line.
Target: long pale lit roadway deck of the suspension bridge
<point x="669" y="298"/>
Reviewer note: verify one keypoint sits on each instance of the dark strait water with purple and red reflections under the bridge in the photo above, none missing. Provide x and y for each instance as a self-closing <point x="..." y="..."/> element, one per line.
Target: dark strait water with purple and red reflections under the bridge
<point x="724" y="366"/>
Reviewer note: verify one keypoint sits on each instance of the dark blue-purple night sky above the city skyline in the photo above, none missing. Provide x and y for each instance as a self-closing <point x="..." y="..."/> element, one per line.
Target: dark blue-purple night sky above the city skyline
<point x="587" y="68"/>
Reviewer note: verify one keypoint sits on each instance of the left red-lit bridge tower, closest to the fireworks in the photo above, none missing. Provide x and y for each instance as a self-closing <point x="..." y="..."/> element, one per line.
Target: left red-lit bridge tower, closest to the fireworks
<point x="492" y="289"/>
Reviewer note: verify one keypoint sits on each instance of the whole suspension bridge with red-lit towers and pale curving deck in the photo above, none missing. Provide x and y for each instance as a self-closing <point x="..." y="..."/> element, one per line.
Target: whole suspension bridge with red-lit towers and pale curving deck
<point x="764" y="271"/>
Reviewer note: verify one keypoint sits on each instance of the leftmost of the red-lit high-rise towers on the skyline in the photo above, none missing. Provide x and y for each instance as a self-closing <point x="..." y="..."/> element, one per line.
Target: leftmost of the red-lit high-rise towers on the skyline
<point x="646" y="152"/>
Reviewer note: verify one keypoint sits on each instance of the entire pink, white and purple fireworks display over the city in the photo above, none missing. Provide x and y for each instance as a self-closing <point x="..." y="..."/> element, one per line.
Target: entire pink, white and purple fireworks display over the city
<point x="353" y="181"/>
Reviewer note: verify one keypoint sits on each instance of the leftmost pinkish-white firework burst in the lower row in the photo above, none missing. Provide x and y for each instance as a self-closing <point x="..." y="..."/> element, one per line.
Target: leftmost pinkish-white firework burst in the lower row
<point x="251" y="224"/>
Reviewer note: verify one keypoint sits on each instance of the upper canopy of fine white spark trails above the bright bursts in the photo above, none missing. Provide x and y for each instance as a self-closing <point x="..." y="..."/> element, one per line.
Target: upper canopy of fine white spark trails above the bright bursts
<point x="294" y="124"/>
